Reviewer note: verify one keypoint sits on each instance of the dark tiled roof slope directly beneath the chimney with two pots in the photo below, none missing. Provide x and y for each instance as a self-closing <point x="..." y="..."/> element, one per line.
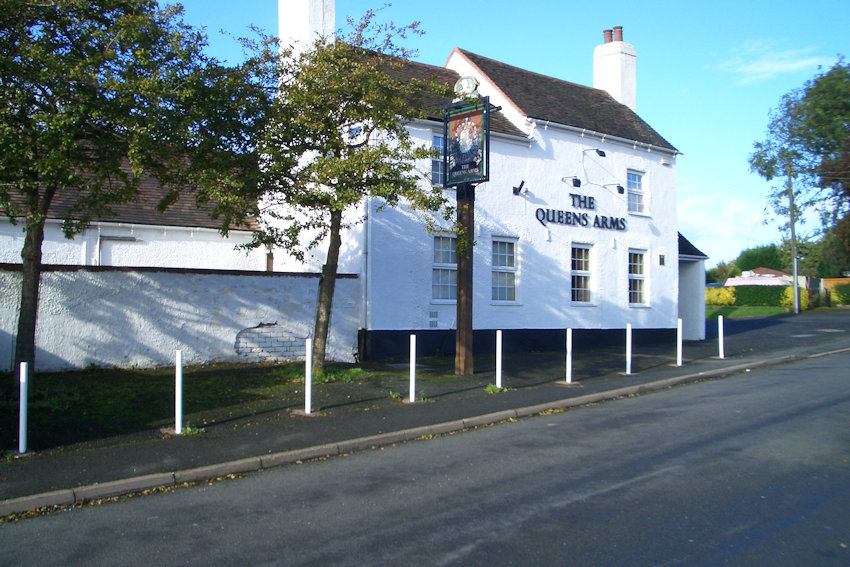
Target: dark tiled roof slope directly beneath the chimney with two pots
<point x="546" y="98"/>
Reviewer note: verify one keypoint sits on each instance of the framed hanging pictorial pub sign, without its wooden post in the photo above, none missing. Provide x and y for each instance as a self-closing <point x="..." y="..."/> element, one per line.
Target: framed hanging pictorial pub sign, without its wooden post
<point x="466" y="129"/>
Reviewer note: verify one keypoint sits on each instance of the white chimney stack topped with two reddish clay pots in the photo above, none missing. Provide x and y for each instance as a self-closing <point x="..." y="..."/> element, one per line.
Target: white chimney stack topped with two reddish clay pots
<point x="615" y="67"/>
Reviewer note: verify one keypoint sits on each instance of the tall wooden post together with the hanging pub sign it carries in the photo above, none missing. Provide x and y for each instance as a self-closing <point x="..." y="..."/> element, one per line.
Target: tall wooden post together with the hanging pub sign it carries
<point x="466" y="130"/>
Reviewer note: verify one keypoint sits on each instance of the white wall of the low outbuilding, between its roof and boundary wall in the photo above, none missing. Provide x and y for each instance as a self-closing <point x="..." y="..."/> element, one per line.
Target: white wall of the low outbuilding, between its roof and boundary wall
<point x="119" y="244"/>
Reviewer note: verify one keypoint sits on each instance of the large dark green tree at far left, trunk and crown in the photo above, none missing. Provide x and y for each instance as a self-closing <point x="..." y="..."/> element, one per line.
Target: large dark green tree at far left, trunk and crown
<point x="94" y="94"/>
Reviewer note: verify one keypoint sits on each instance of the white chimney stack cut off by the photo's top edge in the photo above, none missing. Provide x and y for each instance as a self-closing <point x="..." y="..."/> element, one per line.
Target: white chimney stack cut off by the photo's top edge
<point x="301" y="22"/>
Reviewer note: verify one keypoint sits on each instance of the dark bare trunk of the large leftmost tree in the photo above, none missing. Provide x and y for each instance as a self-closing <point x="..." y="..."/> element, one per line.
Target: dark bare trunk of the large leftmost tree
<point x="31" y="268"/>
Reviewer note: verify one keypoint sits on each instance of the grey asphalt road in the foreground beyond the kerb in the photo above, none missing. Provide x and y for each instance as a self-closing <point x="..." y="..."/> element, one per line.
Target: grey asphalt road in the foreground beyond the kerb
<point x="749" y="470"/>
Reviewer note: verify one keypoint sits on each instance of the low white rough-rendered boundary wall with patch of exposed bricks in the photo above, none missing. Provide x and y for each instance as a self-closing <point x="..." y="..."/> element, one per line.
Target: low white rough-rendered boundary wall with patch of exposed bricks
<point x="139" y="318"/>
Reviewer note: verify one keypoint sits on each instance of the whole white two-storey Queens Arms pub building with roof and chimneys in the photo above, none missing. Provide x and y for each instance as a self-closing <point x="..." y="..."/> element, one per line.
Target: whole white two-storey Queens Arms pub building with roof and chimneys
<point x="576" y="227"/>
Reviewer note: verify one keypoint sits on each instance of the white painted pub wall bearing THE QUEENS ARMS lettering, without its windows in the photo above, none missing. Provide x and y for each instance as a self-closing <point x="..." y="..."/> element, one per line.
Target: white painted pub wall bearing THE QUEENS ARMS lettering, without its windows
<point x="401" y="252"/>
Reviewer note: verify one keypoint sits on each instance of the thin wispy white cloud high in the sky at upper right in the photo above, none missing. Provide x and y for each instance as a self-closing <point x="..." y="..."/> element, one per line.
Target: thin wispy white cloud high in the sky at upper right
<point x="758" y="60"/>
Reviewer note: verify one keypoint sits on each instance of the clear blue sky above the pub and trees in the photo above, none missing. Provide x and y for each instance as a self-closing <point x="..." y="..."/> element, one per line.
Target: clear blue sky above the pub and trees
<point x="708" y="73"/>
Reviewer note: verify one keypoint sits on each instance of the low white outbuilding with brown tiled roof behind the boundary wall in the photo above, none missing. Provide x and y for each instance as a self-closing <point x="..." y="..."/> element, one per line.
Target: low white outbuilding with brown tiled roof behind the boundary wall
<point x="184" y="236"/>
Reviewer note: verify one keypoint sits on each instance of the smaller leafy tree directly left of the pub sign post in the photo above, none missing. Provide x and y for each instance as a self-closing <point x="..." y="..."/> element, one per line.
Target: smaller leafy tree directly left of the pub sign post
<point x="337" y="135"/>
